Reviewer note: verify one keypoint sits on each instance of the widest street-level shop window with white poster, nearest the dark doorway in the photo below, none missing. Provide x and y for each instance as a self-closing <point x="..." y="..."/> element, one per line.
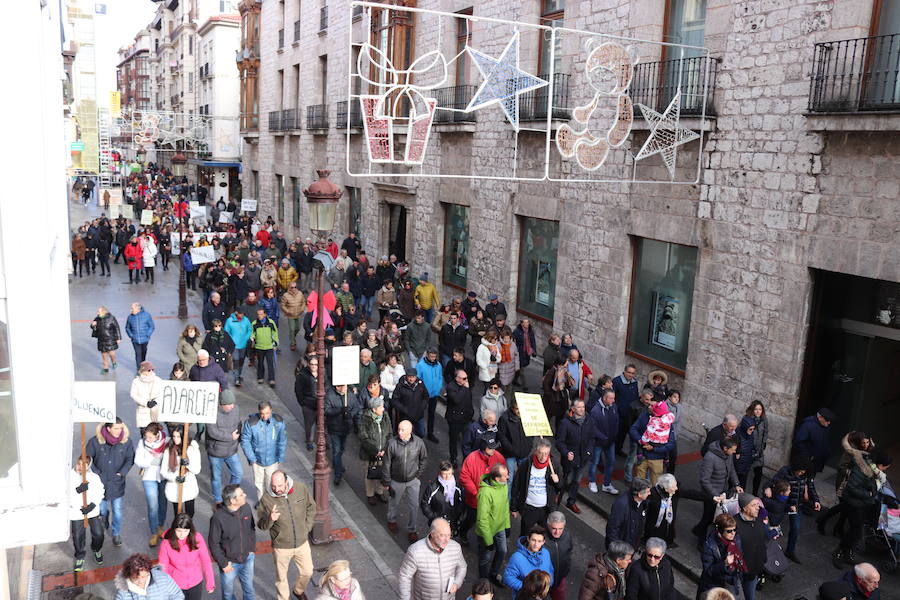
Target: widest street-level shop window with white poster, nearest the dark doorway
<point x="662" y="292"/>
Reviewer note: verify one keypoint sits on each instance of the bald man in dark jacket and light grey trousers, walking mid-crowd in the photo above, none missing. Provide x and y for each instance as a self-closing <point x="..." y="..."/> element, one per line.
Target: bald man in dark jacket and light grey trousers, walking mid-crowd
<point x="404" y="464"/>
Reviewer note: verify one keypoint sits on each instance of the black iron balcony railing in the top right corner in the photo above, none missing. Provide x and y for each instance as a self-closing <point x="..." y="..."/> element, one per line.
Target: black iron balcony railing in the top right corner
<point x="856" y="75"/>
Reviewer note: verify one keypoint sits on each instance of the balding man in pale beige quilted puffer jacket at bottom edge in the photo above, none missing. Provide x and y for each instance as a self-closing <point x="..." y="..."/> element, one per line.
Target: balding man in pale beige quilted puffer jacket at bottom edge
<point x="433" y="568"/>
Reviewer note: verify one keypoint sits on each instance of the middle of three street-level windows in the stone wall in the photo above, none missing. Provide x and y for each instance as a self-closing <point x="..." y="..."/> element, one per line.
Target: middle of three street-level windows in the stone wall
<point x="539" y="245"/>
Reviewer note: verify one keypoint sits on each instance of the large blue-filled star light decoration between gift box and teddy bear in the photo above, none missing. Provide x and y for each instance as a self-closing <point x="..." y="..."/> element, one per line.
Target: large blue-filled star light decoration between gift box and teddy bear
<point x="503" y="80"/>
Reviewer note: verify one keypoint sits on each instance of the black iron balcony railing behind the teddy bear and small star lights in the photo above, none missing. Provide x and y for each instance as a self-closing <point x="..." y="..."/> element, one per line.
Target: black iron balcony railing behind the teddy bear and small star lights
<point x="656" y="83"/>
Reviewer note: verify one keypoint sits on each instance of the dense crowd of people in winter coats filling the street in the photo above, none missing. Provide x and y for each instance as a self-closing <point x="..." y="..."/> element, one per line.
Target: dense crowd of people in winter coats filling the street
<point x="415" y="353"/>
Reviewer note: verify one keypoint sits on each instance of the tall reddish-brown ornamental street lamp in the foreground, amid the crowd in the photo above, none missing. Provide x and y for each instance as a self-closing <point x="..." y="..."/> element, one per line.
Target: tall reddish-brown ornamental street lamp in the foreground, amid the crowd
<point x="322" y="198"/>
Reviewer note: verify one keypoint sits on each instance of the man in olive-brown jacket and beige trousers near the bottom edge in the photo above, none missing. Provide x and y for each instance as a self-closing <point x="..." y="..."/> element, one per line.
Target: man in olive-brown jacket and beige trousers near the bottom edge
<point x="288" y="511"/>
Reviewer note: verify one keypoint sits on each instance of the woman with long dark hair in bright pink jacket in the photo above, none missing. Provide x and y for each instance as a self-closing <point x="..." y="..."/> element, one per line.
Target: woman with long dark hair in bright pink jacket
<point x="185" y="557"/>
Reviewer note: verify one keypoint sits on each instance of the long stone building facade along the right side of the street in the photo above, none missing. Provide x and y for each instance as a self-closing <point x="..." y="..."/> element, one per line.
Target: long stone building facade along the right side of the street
<point x="790" y="240"/>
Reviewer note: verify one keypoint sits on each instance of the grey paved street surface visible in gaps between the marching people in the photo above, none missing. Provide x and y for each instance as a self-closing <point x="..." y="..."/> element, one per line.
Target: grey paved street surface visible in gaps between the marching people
<point x="374" y="553"/>
